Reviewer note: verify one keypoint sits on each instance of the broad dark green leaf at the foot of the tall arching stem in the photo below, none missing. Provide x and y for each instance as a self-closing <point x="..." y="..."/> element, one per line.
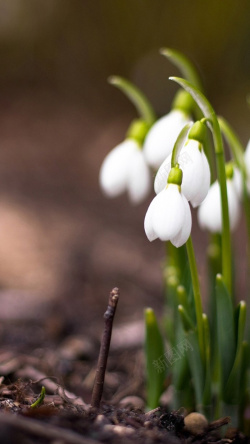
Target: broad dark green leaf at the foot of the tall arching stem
<point x="225" y="331"/>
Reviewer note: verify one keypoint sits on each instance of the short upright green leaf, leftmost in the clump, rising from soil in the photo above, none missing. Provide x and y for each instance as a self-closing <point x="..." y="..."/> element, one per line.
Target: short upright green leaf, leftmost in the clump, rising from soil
<point x="155" y="359"/>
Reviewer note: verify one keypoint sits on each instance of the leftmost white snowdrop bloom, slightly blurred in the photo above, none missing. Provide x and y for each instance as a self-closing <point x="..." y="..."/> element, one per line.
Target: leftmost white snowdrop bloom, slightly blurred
<point x="125" y="169"/>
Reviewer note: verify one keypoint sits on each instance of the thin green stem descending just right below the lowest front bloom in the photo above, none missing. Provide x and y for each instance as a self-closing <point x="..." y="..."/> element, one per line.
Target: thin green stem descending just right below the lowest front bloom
<point x="197" y="296"/>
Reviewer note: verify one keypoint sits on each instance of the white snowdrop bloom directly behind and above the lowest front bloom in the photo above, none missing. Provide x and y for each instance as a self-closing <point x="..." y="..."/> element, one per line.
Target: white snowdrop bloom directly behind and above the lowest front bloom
<point x="196" y="173"/>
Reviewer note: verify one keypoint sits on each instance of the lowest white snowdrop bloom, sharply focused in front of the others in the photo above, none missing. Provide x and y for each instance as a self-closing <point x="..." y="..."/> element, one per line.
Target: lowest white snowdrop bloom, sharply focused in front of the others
<point x="169" y="217"/>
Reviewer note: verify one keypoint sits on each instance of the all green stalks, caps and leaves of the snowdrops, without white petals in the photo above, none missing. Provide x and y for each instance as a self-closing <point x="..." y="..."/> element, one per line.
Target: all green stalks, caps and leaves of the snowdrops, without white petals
<point x="206" y="358"/>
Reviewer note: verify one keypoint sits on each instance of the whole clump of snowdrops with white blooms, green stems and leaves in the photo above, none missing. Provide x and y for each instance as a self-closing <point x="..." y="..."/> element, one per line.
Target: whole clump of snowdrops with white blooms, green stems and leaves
<point x="184" y="152"/>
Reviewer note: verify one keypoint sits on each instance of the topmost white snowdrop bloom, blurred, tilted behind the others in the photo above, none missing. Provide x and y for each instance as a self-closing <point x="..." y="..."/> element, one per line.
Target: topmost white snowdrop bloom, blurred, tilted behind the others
<point x="161" y="137"/>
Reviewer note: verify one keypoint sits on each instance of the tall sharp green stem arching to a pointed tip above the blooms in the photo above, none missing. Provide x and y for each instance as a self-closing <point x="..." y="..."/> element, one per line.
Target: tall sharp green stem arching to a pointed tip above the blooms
<point x="214" y="126"/>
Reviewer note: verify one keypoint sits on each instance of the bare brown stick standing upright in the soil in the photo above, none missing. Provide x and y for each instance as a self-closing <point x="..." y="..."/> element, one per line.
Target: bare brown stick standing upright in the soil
<point x="104" y="350"/>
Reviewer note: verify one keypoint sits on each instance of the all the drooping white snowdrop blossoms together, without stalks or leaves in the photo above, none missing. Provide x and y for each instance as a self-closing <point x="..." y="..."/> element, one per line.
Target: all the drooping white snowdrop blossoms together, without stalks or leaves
<point x="131" y="165"/>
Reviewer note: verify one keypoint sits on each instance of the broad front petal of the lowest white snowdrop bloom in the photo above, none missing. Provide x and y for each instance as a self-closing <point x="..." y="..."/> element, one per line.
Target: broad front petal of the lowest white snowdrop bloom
<point x="169" y="213"/>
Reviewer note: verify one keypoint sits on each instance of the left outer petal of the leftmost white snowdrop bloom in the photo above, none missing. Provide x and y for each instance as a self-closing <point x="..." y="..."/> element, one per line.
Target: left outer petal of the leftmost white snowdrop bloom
<point x="114" y="170"/>
